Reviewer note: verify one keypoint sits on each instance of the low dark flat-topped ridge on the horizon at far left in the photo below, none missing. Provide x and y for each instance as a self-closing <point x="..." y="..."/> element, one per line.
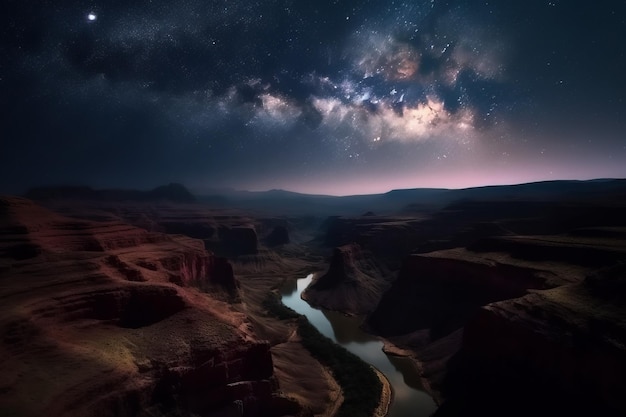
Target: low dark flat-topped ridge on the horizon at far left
<point x="173" y="192"/>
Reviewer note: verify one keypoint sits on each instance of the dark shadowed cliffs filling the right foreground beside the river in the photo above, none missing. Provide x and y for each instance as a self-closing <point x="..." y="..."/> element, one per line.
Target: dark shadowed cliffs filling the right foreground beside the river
<point x="518" y="331"/>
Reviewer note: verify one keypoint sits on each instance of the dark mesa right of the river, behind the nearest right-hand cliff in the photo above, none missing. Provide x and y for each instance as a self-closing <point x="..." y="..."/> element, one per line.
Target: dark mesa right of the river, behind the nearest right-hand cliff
<point x="439" y="291"/>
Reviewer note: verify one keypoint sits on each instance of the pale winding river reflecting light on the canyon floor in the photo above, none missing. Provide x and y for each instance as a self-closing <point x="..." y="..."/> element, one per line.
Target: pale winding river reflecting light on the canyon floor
<point x="409" y="397"/>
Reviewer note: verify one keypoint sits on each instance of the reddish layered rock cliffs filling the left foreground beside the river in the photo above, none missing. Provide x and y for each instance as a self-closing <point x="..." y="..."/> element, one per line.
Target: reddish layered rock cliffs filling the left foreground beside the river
<point x="104" y="319"/>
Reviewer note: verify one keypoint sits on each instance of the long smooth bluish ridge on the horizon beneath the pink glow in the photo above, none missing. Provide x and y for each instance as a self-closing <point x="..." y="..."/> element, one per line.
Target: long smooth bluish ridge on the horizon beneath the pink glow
<point x="415" y="200"/>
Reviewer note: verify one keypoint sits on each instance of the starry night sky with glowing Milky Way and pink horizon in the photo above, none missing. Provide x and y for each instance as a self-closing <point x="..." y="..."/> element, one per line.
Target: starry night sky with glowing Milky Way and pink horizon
<point x="333" y="97"/>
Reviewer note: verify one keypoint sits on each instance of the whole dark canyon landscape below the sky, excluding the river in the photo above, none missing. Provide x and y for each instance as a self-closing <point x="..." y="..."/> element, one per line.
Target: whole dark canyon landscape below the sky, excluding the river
<point x="510" y="300"/>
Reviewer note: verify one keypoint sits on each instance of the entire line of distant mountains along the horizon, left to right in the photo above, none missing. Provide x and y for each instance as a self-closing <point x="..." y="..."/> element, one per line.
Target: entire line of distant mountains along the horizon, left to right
<point x="406" y="201"/>
